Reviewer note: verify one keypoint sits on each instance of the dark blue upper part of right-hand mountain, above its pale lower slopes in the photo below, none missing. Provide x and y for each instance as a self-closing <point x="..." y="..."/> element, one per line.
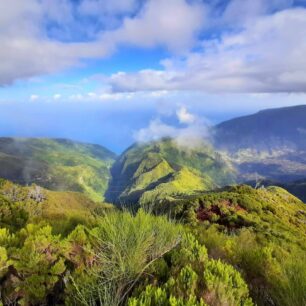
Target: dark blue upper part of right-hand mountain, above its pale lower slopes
<point x="269" y="130"/>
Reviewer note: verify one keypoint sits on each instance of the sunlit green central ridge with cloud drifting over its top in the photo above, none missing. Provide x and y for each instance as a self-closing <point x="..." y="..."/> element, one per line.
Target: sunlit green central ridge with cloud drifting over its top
<point x="150" y="172"/>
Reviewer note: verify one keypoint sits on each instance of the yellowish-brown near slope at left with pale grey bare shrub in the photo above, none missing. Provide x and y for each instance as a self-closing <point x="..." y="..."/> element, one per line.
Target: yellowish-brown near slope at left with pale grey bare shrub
<point x="20" y="205"/>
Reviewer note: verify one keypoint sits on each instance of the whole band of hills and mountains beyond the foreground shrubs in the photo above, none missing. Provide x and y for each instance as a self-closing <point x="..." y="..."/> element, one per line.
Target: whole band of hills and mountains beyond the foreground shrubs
<point x="267" y="146"/>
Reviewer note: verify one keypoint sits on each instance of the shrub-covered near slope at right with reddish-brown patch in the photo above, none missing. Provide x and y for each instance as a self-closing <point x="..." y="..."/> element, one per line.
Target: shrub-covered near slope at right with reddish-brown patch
<point x="262" y="232"/>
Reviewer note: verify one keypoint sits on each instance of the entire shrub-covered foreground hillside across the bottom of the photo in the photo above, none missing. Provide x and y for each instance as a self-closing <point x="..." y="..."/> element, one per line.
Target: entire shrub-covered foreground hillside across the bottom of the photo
<point x="235" y="246"/>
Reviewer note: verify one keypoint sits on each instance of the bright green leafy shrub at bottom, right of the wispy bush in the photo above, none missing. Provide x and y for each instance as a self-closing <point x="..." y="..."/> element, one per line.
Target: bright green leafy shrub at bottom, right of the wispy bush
<point x="193" y="279"/>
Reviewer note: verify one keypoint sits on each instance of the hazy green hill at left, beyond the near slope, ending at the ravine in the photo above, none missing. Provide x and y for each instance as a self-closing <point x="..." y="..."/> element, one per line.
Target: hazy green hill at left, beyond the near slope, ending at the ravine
<point x="56" y="164"/>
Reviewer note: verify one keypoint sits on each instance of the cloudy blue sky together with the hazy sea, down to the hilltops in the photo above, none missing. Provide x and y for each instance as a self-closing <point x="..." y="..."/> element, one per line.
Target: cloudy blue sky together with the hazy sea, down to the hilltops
<point x="115" y="72"/>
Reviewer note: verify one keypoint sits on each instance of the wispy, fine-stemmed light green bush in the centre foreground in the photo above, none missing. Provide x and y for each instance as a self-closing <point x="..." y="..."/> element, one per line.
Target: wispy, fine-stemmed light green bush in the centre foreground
<point x="124" y="247"/>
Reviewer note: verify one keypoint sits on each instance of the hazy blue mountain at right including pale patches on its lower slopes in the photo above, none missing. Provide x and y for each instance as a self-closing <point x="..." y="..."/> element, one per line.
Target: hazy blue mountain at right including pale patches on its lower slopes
<point x="269" y="145"/>
